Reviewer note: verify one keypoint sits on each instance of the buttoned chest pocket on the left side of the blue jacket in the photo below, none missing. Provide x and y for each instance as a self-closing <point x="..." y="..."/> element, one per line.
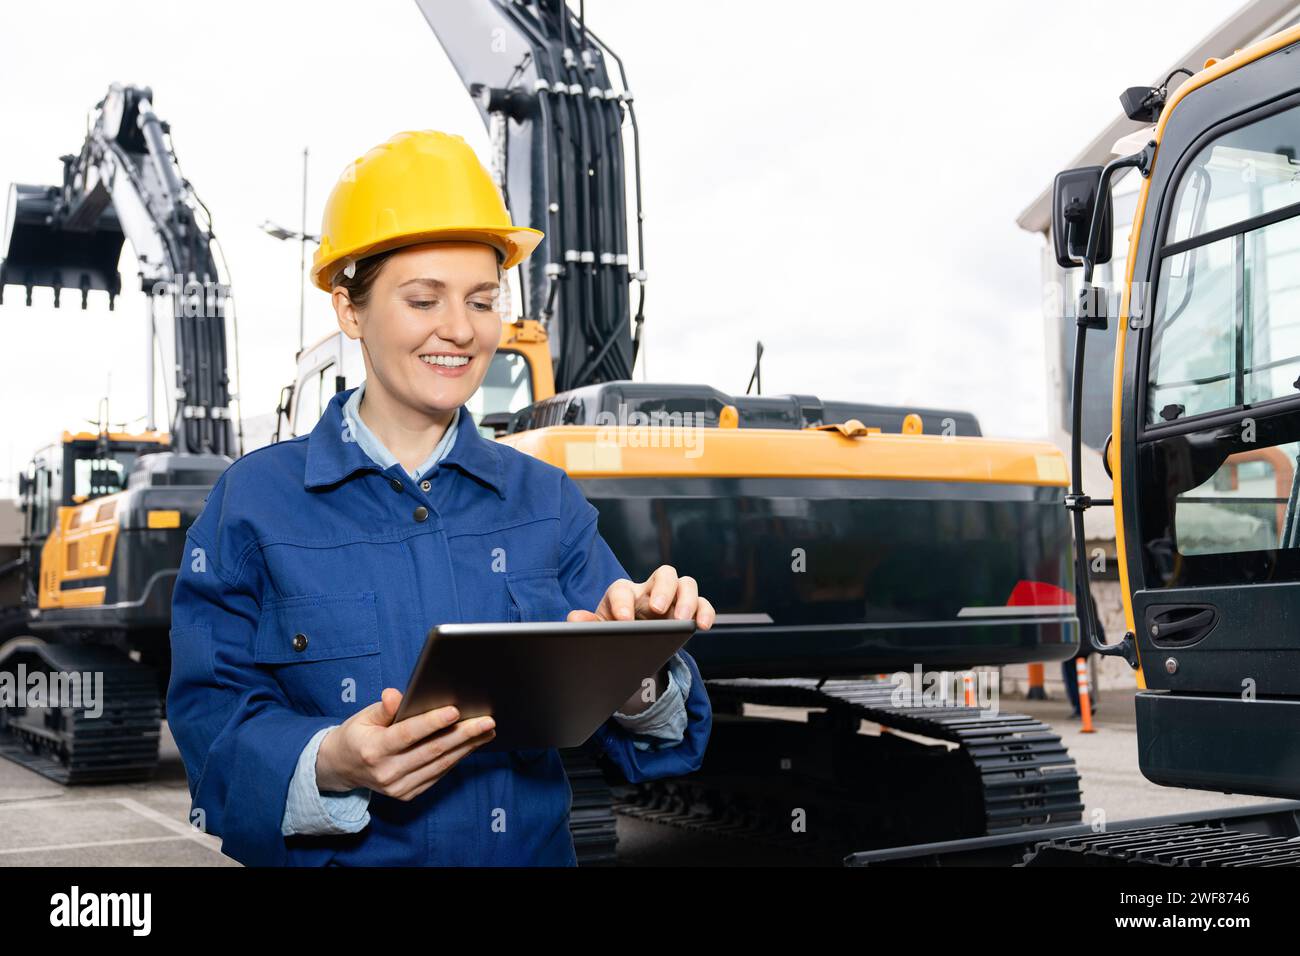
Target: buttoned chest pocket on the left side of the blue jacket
<point x="324" y="651"/>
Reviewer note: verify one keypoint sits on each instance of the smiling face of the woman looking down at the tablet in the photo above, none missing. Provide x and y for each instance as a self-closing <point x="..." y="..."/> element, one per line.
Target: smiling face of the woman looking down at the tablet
<point x="432" y="323"/>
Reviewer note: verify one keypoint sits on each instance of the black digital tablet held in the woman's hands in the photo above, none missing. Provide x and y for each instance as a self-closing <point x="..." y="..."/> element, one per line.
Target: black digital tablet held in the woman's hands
<point x="545" y="684"/>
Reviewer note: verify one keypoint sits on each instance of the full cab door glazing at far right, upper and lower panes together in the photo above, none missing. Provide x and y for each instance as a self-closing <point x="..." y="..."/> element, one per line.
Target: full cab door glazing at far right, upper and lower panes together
<point x="1225" y="348"/>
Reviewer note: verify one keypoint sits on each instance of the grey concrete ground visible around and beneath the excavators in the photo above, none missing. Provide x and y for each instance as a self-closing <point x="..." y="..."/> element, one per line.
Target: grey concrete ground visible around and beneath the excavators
<point x="146" y="824"/>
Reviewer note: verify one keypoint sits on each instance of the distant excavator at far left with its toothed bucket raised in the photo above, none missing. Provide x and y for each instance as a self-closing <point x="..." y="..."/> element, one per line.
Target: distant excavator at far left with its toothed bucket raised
<point x="106" y="512"/>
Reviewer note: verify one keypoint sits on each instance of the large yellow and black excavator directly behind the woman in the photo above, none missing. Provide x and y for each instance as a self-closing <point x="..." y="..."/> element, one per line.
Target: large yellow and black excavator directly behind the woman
<point x="842" y="543"/>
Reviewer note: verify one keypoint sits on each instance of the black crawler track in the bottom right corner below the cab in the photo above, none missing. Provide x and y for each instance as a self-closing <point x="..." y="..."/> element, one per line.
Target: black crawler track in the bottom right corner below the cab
<point x="1186" y="845"/>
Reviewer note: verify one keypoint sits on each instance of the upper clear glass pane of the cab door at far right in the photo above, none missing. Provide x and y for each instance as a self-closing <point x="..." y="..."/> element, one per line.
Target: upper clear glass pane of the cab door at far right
<point x="1227" y="335"/>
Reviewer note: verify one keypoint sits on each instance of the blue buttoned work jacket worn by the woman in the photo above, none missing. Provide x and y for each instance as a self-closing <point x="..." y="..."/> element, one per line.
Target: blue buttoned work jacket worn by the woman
<point x="309" y="585"/>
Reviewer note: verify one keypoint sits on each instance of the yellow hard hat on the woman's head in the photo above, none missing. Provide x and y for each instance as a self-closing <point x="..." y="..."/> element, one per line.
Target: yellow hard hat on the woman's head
<point x="419" y="187"/>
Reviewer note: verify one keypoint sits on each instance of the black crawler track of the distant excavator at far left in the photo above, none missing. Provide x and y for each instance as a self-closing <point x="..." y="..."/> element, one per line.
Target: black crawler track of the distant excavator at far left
<point x="114" y="739"/>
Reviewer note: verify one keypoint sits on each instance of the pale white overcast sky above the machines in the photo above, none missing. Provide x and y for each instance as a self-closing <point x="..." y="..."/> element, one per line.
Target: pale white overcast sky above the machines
<point x="839" y="180"/>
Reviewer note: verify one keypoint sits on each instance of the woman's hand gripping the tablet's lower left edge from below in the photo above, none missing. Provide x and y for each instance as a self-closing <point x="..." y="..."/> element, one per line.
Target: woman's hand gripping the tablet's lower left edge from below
<point x="400" y="760"/>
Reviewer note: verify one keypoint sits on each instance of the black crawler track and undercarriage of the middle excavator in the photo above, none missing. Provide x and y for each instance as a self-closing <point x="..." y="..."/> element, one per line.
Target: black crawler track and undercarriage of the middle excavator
<point x="982" y="776"/>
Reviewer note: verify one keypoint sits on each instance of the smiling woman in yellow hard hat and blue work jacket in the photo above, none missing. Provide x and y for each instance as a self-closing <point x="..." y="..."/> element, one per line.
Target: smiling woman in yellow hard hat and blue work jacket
<point x="319" y="564"/>
